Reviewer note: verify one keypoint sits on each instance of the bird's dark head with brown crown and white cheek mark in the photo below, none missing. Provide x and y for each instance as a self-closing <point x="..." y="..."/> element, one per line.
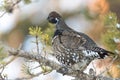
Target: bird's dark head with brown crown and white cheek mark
<point x="53" y="17"/>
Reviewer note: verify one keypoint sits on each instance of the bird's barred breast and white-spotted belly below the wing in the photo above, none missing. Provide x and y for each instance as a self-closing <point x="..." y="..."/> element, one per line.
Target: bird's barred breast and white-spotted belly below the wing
<point x="68" y="53"/>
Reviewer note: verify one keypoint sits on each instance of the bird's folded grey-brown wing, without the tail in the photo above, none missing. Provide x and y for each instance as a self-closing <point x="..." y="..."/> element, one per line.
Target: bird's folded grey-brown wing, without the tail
<point x="72" y="40"/>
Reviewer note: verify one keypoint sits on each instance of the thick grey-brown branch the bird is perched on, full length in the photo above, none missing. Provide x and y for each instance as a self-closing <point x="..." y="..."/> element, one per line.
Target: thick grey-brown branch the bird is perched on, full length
<point x="55" y="66"/>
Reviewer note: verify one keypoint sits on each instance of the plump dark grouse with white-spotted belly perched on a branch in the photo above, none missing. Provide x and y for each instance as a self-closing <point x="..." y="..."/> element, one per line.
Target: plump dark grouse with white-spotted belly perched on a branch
<point x="71" y="48"/>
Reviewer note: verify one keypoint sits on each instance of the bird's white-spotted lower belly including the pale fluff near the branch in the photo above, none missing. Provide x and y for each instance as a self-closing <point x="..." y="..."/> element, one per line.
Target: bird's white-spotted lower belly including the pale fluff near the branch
<point x="74" y="60"/>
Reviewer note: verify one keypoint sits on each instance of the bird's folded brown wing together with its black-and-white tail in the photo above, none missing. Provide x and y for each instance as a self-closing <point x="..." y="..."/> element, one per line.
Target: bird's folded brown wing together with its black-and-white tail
<point x="79" y="41"/>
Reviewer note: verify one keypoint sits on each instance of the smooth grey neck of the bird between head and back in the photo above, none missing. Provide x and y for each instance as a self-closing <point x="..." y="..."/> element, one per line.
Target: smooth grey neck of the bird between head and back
<point x="61" y="25"/>
